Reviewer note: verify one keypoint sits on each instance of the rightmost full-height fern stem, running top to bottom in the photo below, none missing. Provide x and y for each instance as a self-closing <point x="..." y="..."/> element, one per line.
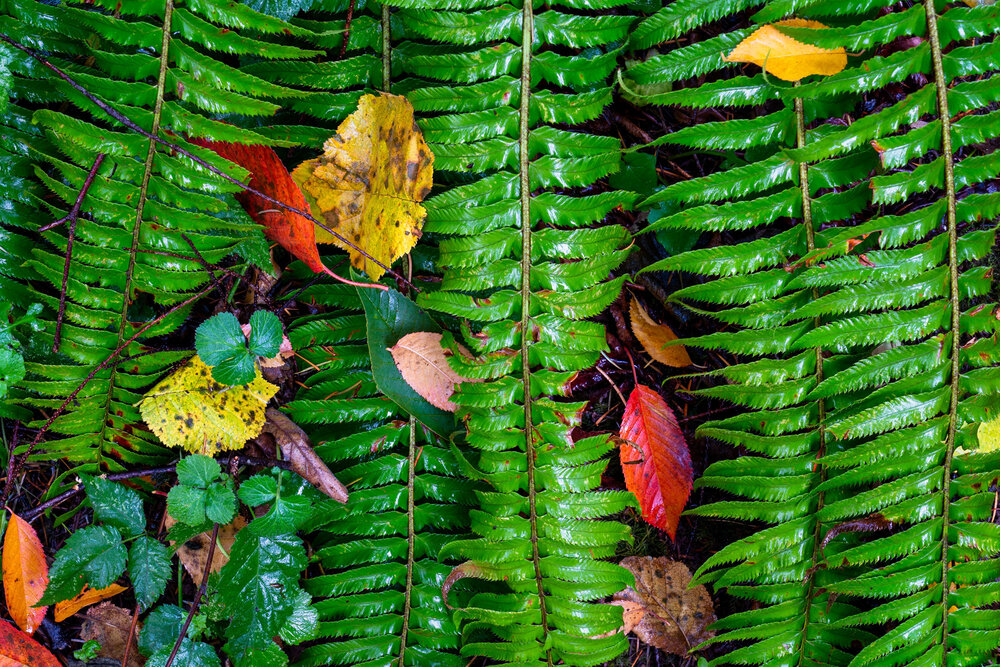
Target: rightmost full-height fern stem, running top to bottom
<point x="941" y="83"/>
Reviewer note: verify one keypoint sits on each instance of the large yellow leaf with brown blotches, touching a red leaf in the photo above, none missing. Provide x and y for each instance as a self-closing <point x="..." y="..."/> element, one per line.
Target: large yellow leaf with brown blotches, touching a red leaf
<point x="368" y="184"/>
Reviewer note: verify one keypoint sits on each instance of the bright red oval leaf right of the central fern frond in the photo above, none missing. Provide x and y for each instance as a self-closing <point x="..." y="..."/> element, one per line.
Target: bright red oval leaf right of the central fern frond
<point x="655" y="459"/>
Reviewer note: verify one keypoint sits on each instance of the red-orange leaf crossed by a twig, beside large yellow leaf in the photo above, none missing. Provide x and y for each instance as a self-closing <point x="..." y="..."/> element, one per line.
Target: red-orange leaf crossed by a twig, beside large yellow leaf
<point x="291" y="231"/>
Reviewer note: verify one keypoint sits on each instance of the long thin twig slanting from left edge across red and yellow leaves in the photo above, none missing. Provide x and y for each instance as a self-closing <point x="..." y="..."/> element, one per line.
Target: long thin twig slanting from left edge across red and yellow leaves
<point x="129" y="123"/>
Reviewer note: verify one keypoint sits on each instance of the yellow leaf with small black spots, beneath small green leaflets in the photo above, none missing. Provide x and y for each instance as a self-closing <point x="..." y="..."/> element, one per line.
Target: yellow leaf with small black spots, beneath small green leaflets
<point x="191" y="410"/>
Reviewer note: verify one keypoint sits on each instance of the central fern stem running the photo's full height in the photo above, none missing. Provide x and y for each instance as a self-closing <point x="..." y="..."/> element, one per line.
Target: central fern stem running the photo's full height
<point x="527" y="37"/>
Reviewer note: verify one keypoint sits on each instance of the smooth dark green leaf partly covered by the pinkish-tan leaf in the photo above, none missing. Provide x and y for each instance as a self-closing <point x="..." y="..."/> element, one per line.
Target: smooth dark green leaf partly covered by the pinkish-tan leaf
<point x="390" y="316"/>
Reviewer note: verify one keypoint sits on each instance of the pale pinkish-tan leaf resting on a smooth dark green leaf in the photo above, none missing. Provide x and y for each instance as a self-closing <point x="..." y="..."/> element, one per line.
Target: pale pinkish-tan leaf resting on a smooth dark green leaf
<point x="423" y="362"/>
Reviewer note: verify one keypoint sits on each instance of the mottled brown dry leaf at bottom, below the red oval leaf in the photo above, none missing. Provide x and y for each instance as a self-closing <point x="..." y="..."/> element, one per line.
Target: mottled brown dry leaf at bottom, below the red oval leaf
<point x="676" y="619"/>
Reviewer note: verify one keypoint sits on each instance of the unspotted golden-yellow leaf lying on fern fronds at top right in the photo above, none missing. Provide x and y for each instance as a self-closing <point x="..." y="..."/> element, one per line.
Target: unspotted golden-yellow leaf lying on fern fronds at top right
<point x="784" y="57"/>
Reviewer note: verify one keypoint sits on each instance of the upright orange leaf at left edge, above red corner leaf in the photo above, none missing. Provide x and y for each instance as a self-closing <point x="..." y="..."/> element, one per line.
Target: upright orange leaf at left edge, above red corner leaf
<point x="25" y="574"/>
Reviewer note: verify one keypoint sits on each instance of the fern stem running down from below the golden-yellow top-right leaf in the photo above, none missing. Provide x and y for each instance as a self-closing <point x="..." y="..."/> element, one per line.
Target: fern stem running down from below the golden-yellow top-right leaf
<point x="807" y="220"/>
